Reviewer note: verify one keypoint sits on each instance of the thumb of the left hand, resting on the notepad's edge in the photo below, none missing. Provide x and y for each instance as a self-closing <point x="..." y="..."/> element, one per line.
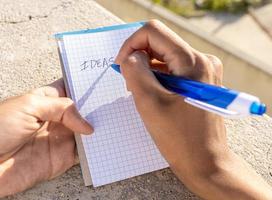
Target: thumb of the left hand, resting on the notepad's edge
<point x="58" y="109"/>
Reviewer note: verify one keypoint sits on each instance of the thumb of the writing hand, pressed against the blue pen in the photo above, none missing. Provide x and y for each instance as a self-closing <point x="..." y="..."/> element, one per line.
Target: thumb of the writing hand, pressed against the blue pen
<point x="139" y="78"/>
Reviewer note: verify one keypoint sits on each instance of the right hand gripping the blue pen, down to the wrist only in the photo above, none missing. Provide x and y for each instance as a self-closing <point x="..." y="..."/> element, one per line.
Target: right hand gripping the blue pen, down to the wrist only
<point x="185" y="135"/>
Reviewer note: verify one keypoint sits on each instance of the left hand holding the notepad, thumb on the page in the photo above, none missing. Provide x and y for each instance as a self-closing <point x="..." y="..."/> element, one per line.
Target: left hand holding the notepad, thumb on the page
<point x="37" y="141"/>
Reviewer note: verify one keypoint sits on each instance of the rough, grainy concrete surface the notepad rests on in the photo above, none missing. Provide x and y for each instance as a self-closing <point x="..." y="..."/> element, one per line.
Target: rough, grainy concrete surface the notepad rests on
<point x="28" y="59"/>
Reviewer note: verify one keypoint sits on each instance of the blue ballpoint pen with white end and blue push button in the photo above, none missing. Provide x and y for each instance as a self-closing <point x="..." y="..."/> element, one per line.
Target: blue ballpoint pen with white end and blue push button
<point x="219" y="100"/>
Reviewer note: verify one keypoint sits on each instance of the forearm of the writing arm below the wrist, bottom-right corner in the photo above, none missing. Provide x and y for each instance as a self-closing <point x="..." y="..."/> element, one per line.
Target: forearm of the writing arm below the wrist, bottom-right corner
<point x="230" y="179"/>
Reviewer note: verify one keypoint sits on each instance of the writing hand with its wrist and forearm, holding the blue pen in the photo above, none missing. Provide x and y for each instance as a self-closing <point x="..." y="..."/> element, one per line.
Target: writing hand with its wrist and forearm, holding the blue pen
<point x="193" y="141"/>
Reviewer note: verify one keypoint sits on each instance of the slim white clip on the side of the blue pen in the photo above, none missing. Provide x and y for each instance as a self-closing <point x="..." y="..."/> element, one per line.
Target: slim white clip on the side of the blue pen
<point x="208" y="107"/>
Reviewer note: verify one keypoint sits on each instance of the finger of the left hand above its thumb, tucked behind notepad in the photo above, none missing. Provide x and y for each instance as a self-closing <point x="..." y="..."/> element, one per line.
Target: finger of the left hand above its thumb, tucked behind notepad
<point x="55" y="89"/>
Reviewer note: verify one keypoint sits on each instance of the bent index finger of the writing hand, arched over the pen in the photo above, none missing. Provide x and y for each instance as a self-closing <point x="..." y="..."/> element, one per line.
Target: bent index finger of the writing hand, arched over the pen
<point x="163" y="44"/>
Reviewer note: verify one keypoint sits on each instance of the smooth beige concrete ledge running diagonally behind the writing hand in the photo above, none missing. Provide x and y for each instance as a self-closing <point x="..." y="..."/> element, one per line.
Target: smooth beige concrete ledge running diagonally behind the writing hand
<point x="241" y="71"/>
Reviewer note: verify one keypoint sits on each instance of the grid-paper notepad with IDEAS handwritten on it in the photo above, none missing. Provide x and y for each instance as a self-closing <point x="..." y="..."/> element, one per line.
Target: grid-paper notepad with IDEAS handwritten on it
<point x="120" y="146"/>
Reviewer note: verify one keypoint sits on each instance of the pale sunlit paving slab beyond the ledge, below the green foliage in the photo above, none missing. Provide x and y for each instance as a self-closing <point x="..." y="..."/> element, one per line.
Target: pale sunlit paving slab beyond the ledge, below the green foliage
<point x="241" y="31"/>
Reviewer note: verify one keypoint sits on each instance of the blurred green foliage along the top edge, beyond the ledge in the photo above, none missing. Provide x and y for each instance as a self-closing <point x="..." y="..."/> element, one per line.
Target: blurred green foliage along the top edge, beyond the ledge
<point x="191" y="7"/>
